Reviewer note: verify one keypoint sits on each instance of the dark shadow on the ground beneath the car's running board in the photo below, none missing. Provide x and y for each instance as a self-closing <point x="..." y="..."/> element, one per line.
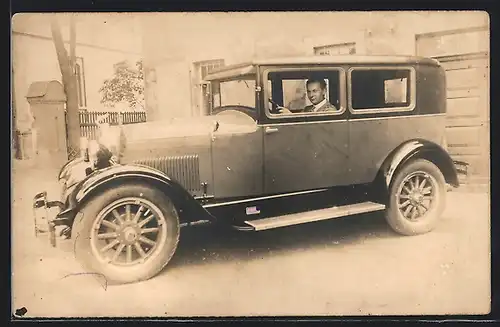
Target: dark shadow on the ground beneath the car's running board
<point x="210" y="244"/>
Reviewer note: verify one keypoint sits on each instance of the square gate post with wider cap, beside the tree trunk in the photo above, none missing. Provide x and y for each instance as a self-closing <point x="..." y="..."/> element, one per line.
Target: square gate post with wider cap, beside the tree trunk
<point x="47" y="102"/>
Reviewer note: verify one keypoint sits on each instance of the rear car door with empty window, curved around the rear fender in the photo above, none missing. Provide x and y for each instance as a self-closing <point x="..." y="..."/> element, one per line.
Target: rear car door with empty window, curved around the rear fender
<point x="382" y="116"/>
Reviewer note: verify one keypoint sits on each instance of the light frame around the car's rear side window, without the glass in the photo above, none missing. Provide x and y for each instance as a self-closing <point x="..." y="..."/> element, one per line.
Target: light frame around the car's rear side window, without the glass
<point x="412" y="92"/>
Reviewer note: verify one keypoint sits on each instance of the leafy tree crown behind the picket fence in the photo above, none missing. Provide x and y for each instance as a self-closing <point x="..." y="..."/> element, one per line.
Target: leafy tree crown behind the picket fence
<point x="125" y="86"/>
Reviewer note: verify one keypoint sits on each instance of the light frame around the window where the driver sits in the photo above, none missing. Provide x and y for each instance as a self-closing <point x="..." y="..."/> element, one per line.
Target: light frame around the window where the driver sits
<point x="325" y="115"/>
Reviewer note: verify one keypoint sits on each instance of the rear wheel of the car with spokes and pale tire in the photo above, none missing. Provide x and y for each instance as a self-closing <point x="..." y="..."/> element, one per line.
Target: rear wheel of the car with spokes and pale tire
<point x="413" y="218"/>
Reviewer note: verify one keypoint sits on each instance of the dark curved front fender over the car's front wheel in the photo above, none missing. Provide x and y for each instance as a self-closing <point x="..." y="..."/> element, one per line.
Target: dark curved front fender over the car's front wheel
<point x="190" y="209"/>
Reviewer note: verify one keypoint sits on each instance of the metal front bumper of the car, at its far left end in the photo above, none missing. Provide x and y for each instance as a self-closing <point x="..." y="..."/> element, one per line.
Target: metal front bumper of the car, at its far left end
<point x="45" y="221"/>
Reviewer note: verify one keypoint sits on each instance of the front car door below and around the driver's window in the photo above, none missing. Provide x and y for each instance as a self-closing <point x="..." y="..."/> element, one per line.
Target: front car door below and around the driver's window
<point x="304" y="150"/>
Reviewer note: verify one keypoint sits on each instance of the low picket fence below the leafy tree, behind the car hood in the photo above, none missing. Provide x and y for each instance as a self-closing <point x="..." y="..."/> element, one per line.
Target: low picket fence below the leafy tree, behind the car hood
<point x="88" y="120"/>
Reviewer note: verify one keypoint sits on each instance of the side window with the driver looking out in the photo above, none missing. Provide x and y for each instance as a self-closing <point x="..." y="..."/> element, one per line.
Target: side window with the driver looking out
<point x="304" y="92"/>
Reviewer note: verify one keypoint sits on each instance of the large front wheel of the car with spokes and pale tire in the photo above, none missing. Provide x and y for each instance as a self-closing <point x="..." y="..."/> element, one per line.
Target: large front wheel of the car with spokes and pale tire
<point x="157" y="236"/>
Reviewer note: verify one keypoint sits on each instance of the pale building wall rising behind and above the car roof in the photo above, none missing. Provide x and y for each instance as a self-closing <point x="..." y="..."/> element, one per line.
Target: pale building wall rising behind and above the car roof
<point x="238" y="37"/>
